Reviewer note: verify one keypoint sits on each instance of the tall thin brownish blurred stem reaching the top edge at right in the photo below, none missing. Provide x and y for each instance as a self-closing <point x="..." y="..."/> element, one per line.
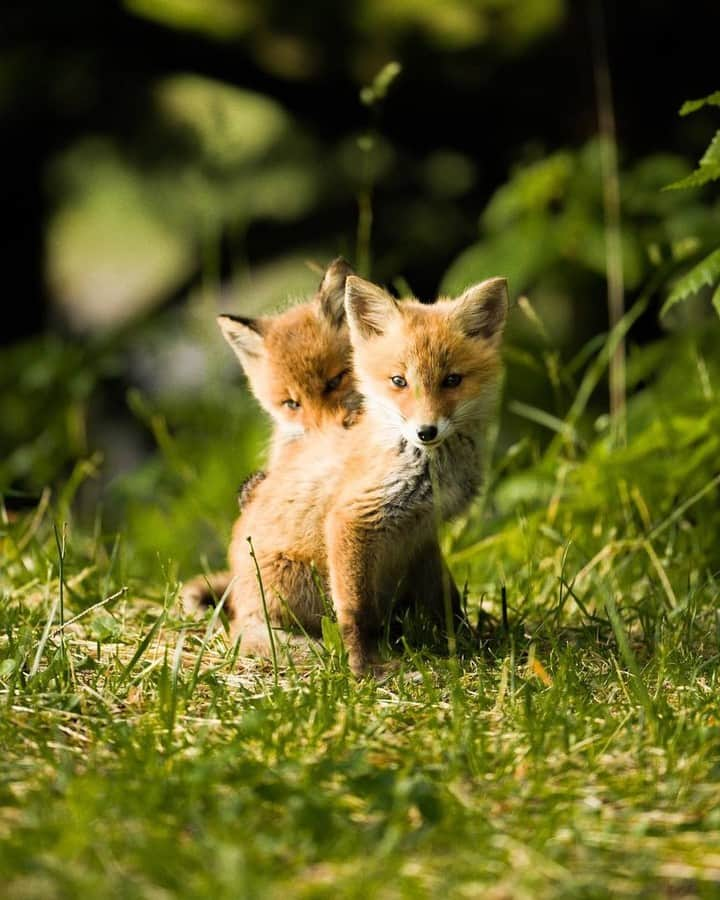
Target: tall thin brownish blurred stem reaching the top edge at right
<point x="612" y="211"/>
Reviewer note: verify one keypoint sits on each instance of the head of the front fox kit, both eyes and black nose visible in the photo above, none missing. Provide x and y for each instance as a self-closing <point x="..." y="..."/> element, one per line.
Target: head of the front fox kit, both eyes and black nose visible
<point x="427" y="370"/>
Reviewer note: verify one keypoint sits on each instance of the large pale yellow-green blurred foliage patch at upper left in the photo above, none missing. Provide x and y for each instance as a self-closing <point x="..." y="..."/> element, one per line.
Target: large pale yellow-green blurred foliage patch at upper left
<point x="127" y="233"/>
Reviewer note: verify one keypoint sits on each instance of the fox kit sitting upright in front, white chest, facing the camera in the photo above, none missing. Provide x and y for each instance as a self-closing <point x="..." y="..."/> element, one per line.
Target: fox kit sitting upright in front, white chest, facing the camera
<point x="352" y="512"/>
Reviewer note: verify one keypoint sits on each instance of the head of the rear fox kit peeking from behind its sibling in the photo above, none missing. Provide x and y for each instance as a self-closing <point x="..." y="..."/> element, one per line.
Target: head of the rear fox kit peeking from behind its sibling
<point x="298" y="363"/>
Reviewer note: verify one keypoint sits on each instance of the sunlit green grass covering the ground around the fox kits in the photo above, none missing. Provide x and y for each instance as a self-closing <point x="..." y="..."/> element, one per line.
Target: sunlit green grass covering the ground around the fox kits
<point x="576" y="755"/>
